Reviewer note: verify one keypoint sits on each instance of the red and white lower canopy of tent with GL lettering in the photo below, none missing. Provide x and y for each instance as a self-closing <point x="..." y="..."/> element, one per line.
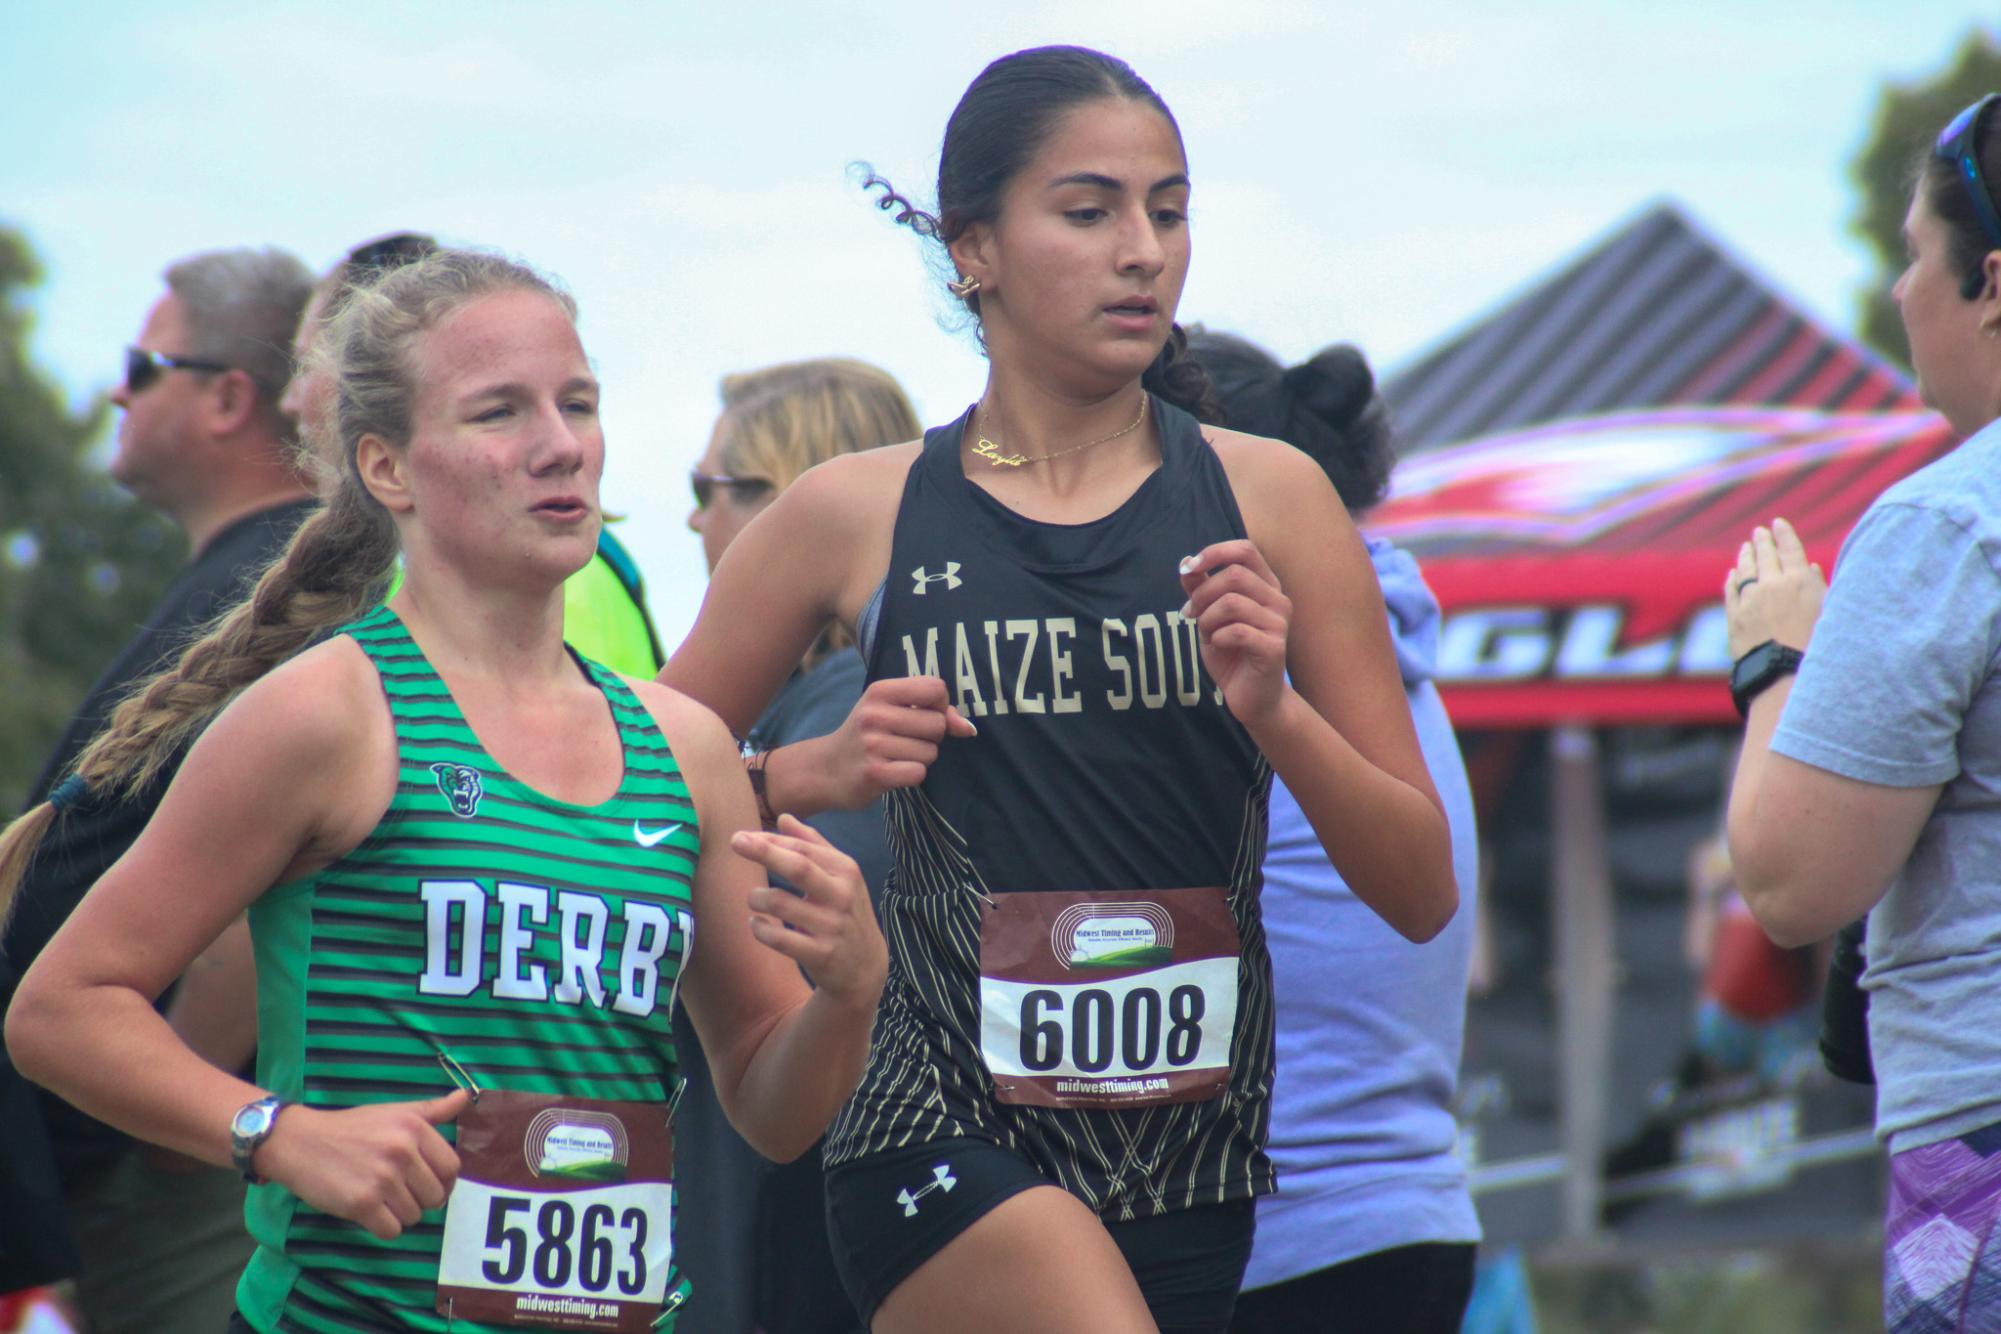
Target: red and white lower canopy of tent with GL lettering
<point x="1582" y="563"/>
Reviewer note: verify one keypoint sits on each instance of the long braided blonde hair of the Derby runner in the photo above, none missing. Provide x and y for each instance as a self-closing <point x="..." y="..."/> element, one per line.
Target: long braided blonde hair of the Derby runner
<point x="335" y="567"/>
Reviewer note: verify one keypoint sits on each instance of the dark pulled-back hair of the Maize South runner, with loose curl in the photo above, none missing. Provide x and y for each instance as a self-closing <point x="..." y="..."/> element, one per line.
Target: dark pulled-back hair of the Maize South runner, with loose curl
<point x="999" y="125"/>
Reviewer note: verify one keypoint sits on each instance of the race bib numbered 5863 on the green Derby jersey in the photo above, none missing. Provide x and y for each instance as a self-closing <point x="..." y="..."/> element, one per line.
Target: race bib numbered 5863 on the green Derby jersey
<point x="561" y="1217"/>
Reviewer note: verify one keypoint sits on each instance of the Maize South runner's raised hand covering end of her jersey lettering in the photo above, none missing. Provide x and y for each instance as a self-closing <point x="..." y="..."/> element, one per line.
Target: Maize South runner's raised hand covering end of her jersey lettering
<point x="1244" y="621"/>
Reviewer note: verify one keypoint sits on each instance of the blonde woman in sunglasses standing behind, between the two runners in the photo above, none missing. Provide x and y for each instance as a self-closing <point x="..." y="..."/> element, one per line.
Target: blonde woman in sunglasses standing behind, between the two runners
<point x="761" y="1259"/>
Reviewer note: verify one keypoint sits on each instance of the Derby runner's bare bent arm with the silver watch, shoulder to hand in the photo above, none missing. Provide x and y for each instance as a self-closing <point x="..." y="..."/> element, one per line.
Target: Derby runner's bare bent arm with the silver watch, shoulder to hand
<point x="277" y="787"/>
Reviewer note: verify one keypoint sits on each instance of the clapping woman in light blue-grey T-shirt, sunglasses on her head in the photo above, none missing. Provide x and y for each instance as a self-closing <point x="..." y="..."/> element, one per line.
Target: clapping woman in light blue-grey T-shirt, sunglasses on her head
<point x="1872" y="781"/>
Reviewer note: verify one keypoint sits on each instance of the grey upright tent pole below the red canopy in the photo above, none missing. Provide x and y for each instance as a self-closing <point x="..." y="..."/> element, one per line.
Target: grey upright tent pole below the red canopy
<point x="1584" y="957"/>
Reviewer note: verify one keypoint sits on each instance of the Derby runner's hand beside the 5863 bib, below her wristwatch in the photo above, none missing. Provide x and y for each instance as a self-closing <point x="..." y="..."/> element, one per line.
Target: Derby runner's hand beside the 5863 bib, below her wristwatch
<point x="379" y="1167"/>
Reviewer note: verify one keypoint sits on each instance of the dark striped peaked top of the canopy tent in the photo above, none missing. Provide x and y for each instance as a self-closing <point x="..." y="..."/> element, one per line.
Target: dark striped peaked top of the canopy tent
<point x="1654" y="315"/>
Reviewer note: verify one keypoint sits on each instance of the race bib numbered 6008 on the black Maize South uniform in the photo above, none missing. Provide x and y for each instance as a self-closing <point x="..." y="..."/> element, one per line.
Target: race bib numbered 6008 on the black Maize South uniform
<point x="1108" y="1001"/>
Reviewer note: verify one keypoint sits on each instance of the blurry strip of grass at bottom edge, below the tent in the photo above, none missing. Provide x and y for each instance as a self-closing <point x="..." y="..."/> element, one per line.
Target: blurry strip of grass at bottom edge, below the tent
<point x="1736" y="1293"/>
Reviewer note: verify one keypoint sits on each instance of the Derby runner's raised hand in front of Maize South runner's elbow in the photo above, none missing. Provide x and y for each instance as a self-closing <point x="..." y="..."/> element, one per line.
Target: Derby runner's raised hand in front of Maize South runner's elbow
<point x="829" y="927"/>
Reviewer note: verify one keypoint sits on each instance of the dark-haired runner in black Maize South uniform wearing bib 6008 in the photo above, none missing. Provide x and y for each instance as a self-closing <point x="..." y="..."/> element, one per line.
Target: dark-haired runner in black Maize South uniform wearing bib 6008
<point x="1094" y="629"/>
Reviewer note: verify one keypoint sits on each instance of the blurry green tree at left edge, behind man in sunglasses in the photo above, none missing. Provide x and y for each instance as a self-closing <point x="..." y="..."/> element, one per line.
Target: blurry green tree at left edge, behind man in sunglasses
<point x="81" y="563"/>
